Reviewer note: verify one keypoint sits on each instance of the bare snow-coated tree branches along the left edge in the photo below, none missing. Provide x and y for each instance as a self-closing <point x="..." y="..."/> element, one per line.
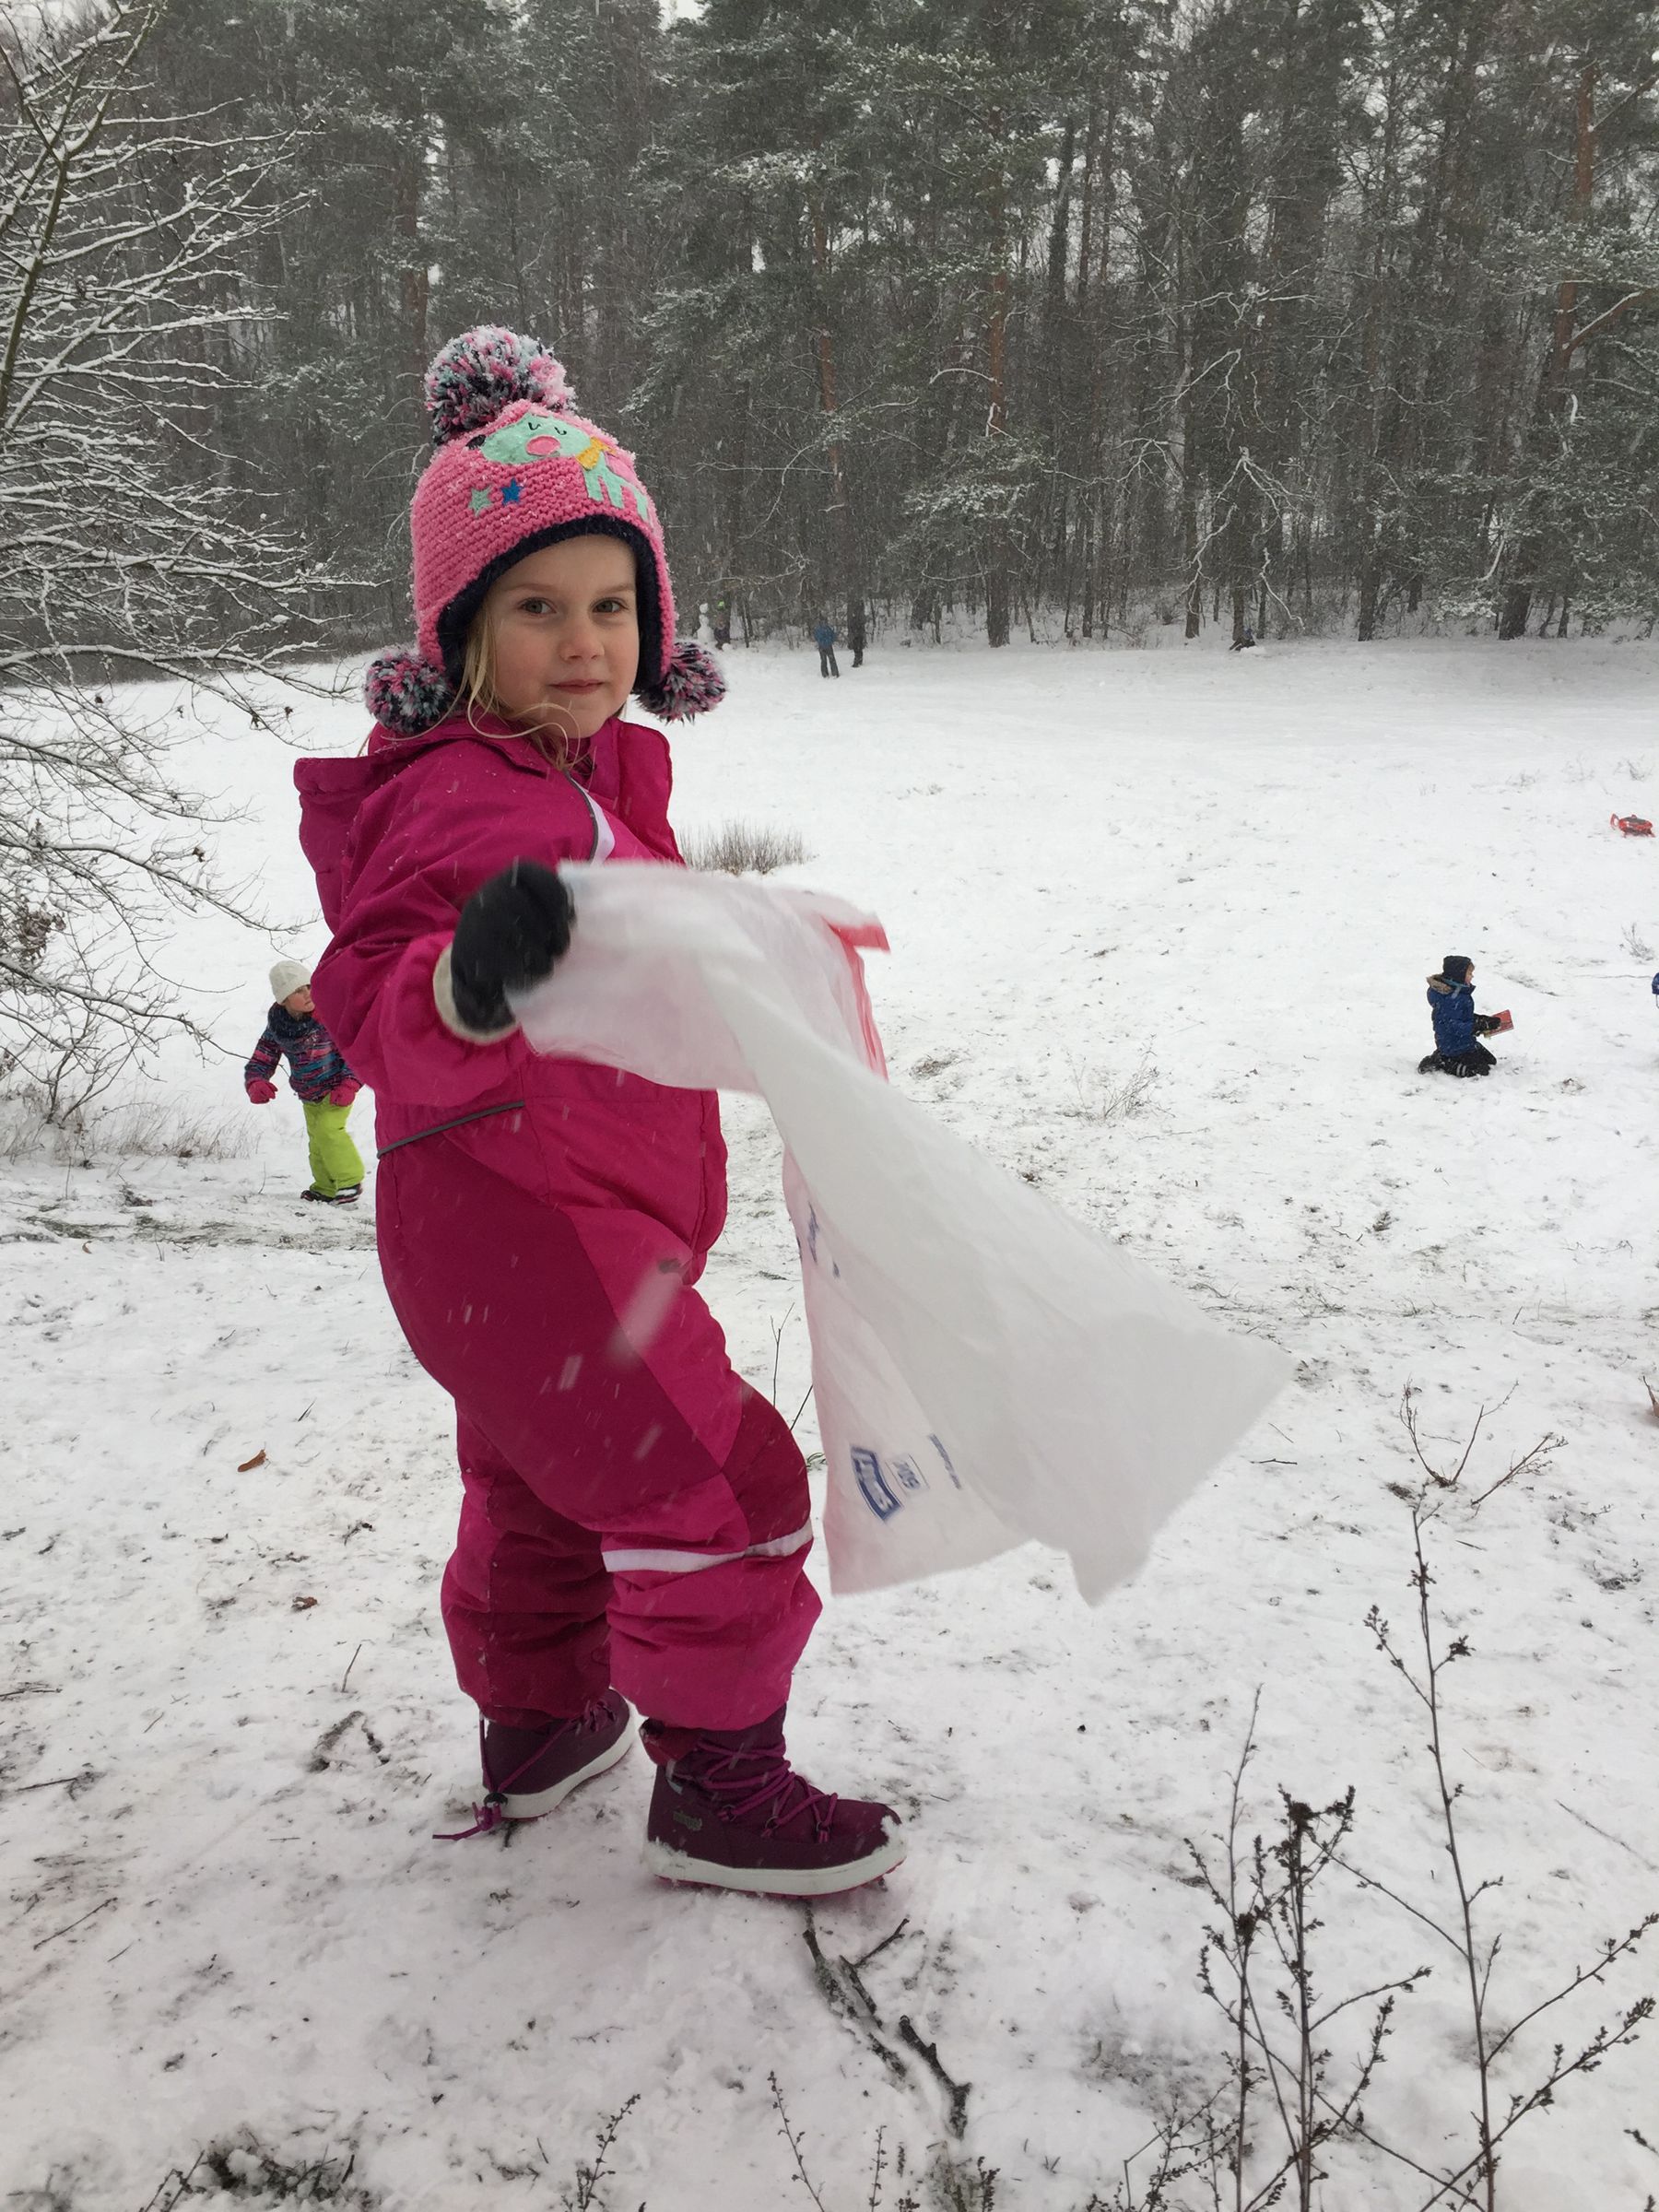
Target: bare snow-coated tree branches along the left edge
<point x="129" y="545"/>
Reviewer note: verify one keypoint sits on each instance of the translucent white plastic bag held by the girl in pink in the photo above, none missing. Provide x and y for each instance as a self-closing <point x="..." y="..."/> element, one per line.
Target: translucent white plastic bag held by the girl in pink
<point x="985" y="1368"/>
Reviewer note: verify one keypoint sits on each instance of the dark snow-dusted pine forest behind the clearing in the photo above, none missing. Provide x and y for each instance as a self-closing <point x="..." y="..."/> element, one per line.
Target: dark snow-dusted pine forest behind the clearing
<point x="1081" y="313"/>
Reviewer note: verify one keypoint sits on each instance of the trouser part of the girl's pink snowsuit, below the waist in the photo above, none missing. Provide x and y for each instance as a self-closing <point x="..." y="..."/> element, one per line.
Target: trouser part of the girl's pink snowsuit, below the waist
<point x="634" y="1514"/>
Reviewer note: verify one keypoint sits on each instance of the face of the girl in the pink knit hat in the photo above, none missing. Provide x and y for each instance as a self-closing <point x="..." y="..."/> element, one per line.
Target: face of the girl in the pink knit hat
<point x="565" y="636"/>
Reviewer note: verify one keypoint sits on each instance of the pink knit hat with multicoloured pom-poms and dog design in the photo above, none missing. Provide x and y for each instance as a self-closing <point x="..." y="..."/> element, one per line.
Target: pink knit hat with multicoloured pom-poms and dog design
<point x="519" y="470"/>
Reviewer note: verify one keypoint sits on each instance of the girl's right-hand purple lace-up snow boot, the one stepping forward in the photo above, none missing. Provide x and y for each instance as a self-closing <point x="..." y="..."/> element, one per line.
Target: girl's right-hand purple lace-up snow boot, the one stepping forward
<point x="731" y="1811"/>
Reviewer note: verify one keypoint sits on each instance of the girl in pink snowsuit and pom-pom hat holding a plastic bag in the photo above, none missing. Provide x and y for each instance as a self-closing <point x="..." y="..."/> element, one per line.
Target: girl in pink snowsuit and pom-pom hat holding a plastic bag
<point x="634" y="1516"/>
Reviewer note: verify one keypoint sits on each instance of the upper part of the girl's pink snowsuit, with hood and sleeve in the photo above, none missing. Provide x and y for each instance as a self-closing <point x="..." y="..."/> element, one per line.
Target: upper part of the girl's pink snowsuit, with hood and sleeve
<point x="399" y="839"/>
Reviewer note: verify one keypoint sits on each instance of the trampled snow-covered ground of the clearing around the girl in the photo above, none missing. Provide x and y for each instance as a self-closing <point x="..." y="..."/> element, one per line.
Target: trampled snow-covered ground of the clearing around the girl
<point x="1160" y="935"/>
